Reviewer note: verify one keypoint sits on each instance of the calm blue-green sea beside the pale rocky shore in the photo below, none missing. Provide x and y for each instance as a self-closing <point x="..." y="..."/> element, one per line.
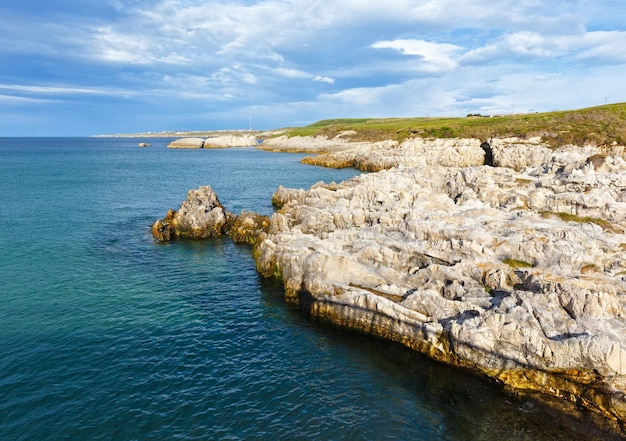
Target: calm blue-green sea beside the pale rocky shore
<point x="107" y="335"/>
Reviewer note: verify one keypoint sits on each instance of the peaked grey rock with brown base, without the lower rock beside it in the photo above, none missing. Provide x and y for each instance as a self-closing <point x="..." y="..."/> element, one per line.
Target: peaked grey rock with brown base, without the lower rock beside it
<point x="199" y="217"/>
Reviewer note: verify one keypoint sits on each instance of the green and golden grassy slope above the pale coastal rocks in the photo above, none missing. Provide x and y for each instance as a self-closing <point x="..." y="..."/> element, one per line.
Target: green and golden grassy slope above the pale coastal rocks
<point x="603" y="125"/>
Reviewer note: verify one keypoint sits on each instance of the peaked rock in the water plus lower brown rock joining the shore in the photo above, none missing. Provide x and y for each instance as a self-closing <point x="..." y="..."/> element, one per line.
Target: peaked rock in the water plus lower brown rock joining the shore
<point x="202" y="216"/>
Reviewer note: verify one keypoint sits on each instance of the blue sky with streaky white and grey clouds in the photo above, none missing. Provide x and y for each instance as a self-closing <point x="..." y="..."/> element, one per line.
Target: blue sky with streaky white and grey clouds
<point x="81" y="67"/>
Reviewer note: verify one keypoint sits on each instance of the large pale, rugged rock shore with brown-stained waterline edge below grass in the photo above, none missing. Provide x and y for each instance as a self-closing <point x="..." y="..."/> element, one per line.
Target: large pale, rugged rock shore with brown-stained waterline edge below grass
<point x="505" y="257"/>
